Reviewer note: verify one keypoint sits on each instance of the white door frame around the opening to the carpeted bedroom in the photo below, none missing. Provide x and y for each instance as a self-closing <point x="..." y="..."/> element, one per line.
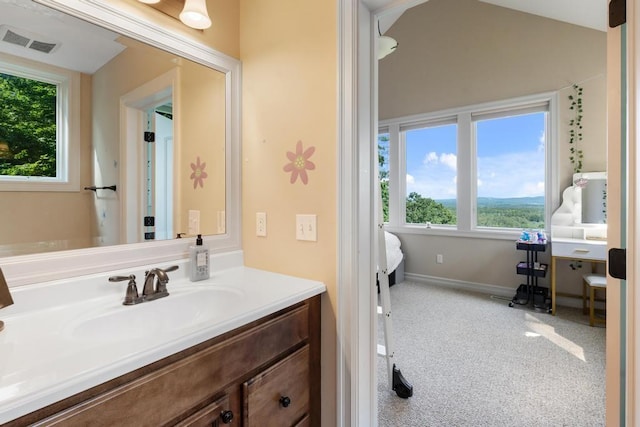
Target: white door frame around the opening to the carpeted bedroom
<point x="357" y="111"/>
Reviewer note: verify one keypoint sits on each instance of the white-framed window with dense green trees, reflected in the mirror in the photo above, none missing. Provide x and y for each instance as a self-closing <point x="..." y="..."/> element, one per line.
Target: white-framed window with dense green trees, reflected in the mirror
<point x="38" y="128"/>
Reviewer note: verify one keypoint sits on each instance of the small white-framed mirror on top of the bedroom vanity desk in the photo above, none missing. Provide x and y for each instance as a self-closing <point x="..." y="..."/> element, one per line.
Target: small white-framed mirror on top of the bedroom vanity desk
<point x="593" y="193"/>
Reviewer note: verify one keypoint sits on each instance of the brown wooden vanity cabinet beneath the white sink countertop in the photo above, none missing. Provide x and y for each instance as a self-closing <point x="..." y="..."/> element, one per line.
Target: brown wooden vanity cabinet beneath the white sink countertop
<point x="266" y="373"/>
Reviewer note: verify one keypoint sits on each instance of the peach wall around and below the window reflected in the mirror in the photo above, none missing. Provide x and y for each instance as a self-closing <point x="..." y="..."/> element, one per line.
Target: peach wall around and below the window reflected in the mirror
<point x="61" y="219"/>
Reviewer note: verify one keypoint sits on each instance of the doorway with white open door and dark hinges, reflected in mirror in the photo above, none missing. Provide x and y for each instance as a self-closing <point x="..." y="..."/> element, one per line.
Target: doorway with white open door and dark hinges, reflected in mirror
<point x="147" y="196"/>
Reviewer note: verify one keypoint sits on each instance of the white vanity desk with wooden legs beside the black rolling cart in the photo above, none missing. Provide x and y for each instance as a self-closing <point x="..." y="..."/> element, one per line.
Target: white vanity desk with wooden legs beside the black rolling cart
<point x="593" y="251"/>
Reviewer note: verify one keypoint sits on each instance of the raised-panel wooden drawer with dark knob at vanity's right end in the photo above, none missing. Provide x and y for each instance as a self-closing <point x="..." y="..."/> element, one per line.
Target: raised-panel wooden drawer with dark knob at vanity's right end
<point x="279" y="396"/>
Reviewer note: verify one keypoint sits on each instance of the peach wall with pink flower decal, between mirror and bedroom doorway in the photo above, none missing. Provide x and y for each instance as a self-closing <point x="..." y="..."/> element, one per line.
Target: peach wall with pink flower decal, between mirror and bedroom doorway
<point x="288" y="52"/>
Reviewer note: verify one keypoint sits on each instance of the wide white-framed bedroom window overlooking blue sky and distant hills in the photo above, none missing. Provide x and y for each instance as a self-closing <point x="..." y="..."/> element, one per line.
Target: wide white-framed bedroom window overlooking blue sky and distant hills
<point x="479" y="168"/>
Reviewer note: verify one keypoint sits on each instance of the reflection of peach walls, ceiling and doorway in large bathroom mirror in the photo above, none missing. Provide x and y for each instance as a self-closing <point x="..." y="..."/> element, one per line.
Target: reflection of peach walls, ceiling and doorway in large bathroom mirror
<point x="171" y="183"/>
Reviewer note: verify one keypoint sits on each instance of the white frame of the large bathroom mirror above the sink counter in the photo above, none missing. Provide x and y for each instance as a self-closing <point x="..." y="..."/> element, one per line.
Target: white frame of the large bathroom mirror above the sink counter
<point x="29" y="269"/>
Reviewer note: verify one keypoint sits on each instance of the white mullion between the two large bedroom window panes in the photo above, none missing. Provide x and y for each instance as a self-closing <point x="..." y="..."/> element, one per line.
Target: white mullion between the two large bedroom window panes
<point x="466" y="183"/>
